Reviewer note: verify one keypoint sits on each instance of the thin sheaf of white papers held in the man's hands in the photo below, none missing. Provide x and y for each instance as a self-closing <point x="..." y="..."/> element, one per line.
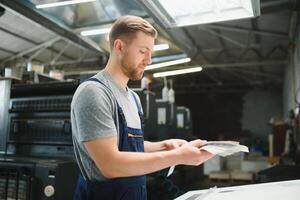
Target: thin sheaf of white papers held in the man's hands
<point x="224" y="148"/>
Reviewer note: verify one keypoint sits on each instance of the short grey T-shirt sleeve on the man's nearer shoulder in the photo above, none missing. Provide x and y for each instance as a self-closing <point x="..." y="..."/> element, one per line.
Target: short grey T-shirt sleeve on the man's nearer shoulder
<point x="93" y="111"/>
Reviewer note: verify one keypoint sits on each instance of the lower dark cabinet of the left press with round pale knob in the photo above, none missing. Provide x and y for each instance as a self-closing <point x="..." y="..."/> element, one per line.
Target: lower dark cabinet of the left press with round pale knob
<point x="32" y="178"/>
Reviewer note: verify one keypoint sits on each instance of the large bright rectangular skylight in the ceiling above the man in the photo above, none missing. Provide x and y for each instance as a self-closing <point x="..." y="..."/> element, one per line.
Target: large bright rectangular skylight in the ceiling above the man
<point x="190" y="12"/>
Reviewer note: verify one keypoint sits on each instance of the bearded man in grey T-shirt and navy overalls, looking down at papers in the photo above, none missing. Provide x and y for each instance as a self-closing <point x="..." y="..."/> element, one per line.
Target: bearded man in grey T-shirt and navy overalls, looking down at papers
<point x="106" y="123"/>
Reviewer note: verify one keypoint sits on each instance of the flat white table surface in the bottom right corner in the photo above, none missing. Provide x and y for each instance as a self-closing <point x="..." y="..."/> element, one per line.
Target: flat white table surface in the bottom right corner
<point x="283" y="190"/>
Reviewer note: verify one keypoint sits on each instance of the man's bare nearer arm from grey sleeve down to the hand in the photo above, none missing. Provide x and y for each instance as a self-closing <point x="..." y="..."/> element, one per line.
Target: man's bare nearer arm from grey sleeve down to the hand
<point x="114" y="163"/>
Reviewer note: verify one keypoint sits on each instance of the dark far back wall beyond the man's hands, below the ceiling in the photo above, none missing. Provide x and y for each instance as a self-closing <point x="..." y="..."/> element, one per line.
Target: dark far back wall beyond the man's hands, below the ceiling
<point x="233" y="115"/>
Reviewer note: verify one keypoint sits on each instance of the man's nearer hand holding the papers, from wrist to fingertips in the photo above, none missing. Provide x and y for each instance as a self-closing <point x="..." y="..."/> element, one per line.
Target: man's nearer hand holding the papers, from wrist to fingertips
<point x="192" y="155"/>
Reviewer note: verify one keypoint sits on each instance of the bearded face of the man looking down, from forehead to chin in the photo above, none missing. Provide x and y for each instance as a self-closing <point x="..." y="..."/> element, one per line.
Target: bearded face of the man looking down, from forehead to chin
<point x="136" y="55"/>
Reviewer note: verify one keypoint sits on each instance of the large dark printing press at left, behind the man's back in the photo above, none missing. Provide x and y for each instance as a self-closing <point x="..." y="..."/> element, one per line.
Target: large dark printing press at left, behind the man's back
<point x="36" y="160"/>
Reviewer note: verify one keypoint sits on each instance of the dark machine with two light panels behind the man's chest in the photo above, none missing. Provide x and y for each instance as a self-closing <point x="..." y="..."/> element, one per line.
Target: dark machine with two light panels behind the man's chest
<point x="163" y="119"/>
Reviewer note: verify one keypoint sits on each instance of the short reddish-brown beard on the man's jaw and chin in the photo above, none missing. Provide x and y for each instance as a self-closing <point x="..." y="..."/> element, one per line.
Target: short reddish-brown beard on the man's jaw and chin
<point x="130" y="71"/>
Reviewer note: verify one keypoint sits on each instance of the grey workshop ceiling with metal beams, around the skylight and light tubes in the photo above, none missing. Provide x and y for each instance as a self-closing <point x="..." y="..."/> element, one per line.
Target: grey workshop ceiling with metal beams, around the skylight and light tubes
<point x="248" y="52"/>
